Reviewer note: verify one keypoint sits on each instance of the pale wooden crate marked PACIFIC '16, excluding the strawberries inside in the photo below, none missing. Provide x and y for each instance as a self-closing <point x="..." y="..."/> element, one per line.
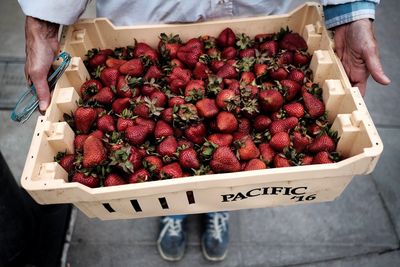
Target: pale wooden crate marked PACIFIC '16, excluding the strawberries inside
<point x="359" y="142"/>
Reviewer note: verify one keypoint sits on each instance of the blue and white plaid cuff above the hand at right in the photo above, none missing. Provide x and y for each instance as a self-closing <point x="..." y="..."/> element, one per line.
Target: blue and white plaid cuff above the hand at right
<point x="342" y="13"/>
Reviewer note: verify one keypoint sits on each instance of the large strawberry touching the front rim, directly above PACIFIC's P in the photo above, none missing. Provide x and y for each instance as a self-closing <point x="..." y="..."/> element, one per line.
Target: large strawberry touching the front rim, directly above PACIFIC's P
<point x="224" y="160"/>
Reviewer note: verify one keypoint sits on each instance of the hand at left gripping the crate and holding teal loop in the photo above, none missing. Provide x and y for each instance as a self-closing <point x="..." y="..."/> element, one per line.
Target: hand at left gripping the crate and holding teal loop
<point x="41" y="48"/>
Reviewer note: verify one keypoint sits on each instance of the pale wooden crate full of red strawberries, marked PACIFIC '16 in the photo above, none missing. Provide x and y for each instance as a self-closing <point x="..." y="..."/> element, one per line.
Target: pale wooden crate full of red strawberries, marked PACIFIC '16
<point x="224" y="115"/>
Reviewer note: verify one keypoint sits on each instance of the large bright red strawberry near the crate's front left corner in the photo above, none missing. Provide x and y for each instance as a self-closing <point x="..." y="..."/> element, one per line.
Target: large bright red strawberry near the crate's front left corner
<point x="94" y="153"/>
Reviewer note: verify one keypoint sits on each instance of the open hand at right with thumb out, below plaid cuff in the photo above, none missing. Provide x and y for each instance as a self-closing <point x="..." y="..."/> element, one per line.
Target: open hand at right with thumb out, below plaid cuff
<point x="356" y="46"/>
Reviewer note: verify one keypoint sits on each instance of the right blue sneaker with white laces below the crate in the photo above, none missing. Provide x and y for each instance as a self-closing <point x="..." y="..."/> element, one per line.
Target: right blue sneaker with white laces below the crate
<point x="215" y="239"/>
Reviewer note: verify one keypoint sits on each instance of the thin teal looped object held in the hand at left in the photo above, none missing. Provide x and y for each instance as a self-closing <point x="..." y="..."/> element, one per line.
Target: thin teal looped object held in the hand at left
<point x="28" y="101"/>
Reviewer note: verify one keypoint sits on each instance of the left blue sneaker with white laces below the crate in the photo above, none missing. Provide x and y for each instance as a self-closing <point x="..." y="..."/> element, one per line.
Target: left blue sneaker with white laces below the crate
<point x="171" y="241"/>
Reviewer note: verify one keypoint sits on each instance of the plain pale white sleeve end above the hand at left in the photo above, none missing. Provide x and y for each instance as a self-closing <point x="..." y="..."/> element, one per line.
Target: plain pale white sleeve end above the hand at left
<point x="56" y="11"/>
